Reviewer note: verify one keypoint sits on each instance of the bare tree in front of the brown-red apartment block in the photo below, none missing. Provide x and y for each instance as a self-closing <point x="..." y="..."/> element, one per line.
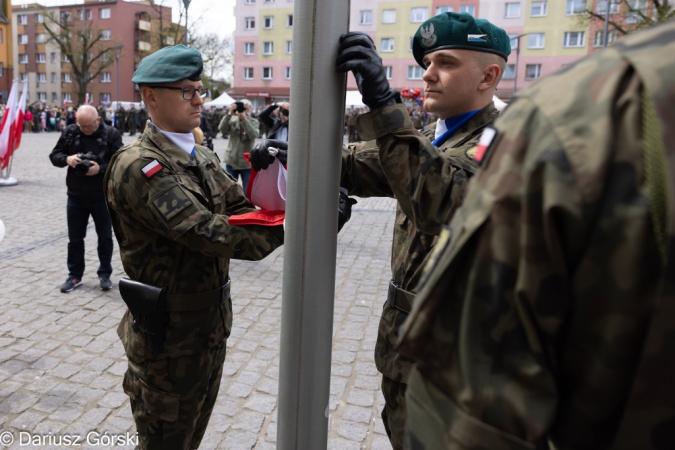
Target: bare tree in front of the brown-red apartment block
<point x="81" y="45"/>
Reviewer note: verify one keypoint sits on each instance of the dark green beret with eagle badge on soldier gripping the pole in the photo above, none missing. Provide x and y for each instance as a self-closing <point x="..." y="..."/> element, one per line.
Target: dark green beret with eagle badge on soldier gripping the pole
<point x="459" y="30"/>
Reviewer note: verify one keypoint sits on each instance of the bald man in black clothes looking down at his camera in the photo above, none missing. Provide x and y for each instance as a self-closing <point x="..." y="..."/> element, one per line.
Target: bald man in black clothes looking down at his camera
<point x="86" y="148"/>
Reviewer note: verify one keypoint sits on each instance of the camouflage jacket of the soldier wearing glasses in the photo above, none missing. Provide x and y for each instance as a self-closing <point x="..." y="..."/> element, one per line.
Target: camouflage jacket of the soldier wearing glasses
<point x="172" y="227"/>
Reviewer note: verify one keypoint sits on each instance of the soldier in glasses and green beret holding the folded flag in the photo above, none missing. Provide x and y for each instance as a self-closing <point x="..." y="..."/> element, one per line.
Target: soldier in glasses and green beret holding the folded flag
<point x="169" y="201"/>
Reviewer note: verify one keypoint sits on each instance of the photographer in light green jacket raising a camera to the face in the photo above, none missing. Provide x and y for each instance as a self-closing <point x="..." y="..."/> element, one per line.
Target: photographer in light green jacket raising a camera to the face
<point x="242" y="130"/>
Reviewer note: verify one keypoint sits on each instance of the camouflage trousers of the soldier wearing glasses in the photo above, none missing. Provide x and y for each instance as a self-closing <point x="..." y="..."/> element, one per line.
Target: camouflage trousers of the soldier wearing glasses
<point x="172" y="399"/>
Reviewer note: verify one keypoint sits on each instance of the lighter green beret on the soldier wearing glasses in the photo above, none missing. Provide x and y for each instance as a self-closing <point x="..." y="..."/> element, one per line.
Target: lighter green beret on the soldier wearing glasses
<point x="169" y="65"/>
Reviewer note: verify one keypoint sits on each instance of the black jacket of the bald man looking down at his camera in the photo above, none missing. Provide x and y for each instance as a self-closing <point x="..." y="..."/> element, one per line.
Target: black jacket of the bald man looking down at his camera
<point x="103" y="143"/>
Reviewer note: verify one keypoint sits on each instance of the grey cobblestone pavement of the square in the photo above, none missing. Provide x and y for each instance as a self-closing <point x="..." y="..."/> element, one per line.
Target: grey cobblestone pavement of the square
<point x="61" y="362"/>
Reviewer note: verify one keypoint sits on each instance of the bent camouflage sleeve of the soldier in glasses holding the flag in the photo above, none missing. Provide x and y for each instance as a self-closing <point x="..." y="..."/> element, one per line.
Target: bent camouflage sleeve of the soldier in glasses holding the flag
<point x="174" y="208"/>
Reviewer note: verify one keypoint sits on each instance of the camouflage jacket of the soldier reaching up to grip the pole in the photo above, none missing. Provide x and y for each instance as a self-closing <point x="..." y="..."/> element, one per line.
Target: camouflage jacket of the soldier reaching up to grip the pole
<point x="403" y="157"/>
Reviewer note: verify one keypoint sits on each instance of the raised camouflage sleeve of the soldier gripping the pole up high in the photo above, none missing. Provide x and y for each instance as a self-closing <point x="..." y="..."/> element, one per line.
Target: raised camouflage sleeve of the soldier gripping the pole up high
<point x="428" y="185"/>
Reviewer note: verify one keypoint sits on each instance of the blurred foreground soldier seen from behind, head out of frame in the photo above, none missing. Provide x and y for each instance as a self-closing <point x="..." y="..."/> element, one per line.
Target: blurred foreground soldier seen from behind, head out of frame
<point x="545" y="315"/>
